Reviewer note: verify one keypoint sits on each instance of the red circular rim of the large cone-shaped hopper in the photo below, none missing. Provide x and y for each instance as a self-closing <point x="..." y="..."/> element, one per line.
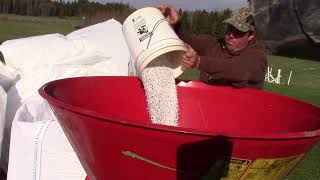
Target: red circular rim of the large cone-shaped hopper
<point x="108" y="117"/>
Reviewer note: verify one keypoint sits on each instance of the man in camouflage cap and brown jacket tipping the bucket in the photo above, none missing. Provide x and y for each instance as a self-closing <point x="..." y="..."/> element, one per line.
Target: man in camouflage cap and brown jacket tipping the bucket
<point x="238" y="60"/>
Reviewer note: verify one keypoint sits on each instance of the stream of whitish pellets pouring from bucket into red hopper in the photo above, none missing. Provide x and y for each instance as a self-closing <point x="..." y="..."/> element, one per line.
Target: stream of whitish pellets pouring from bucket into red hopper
<point x="161" y="92"/>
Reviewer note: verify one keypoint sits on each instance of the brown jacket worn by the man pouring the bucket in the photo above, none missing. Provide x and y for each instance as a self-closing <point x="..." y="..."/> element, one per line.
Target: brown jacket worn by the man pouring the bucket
<point x="218" y="66"/>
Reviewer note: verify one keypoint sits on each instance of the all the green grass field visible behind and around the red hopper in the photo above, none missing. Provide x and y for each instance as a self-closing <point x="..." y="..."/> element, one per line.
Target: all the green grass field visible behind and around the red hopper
<point x="304" y="85"/>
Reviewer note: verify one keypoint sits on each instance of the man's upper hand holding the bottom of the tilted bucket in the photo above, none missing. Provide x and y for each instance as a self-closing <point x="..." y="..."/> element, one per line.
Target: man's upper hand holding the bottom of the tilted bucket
<point x="171" y="14"/>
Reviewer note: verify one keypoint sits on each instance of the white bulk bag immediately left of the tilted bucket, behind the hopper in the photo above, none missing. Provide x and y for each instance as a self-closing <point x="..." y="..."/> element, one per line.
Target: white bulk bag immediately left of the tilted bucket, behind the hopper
<point x="105" y="38"/>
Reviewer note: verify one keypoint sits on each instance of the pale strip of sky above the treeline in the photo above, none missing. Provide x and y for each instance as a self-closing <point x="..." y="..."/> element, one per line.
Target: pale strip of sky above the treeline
<point x="185" y="4"/>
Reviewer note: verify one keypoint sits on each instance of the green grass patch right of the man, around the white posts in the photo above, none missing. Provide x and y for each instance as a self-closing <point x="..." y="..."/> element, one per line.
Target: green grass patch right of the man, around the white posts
<point x="305" y="79"/>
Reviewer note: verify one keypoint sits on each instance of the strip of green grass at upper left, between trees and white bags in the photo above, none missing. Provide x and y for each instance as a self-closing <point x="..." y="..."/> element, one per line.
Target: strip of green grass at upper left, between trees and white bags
<point x="16" y="26"/>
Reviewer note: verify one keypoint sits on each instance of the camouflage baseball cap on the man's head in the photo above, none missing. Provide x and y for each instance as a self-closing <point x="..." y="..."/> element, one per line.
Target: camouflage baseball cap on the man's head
<point x="241" y="19"/>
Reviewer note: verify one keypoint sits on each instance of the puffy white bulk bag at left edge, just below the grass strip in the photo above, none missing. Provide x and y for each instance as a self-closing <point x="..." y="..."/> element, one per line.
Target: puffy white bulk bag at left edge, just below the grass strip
<point x="35" y="51"/>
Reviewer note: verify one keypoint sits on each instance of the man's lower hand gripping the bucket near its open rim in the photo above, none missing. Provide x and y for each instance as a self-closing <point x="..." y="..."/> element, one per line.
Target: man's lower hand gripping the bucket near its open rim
<point x="191" y="58"/>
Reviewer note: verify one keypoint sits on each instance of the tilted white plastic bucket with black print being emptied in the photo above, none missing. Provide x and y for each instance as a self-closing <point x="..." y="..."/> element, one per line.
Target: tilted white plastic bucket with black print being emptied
<point x="148" y="36"/>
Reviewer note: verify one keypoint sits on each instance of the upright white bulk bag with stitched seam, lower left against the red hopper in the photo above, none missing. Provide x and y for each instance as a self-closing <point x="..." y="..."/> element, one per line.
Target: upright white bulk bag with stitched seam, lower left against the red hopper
<point x="39" y="149"/>
